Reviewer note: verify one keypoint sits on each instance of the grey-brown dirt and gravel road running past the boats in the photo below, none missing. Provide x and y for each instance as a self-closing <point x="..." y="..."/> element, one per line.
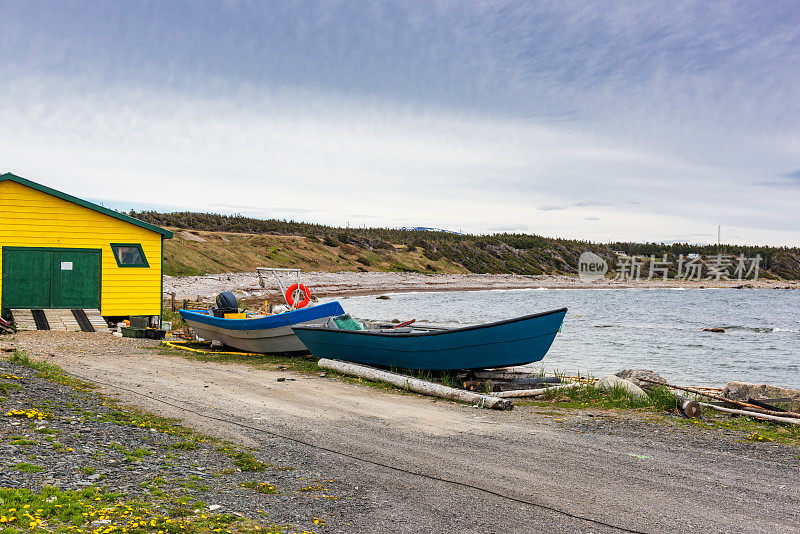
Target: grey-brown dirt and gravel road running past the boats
<point x="396" y="449"/>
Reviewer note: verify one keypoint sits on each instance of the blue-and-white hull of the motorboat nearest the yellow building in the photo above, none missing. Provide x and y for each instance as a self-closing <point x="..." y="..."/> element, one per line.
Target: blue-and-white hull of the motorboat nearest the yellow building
<point x="264" y="335"/>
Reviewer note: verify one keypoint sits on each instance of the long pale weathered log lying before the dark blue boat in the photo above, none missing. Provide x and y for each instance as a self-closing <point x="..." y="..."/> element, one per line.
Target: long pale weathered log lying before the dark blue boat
<point x="416" y="385"/>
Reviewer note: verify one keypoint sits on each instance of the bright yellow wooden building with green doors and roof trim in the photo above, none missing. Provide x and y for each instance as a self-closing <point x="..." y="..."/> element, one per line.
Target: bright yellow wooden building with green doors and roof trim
<point x="59" y="251"/>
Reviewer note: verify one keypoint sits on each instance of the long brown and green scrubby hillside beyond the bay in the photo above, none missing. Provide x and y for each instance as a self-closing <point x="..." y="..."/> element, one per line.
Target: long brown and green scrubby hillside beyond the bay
<point x="212" y="243"/>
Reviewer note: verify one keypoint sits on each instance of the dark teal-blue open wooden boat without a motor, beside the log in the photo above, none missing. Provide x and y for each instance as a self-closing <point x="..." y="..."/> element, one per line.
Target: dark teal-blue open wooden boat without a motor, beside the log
<point x="500" y="344"/>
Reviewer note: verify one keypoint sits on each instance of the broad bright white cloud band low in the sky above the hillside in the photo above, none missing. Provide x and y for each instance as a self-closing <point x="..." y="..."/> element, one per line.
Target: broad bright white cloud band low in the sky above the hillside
<point x="328" y="159"/>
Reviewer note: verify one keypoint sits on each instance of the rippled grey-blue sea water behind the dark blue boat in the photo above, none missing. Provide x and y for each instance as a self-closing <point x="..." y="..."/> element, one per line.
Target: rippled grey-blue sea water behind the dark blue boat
<point x="606" y="331"/>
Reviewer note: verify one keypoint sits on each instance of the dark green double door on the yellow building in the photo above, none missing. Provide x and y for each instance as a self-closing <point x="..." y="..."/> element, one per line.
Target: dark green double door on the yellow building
<point x="50" y="278"/>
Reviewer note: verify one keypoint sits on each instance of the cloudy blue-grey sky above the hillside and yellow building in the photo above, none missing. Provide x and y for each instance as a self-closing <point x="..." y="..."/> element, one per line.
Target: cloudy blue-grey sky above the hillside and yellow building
<point x="646" y="121"/>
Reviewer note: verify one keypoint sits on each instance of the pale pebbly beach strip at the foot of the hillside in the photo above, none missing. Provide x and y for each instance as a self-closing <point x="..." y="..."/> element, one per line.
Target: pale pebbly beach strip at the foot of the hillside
<point x="350" y="283"/>
